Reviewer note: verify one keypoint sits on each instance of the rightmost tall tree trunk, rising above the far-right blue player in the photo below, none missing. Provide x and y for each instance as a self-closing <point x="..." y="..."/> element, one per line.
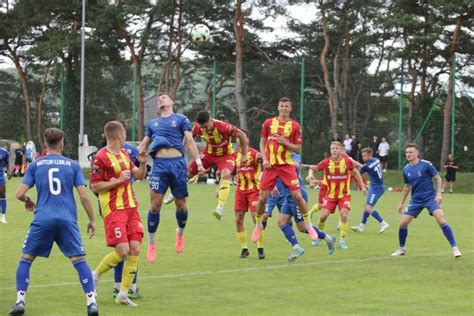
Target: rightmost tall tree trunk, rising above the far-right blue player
<point x="447" y="106"/>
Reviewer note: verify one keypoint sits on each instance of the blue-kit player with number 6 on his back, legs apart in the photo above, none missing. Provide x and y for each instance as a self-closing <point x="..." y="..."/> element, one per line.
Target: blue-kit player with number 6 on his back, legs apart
<point x="55" y="217"/>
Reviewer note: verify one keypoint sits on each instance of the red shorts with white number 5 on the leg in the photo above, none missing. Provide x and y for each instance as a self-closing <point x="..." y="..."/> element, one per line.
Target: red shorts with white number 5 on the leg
<point x="123" y="226"/>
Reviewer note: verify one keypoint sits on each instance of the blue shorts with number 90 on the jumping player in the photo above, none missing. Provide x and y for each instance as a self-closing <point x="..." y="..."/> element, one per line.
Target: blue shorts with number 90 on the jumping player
<point x="170" y="173"/>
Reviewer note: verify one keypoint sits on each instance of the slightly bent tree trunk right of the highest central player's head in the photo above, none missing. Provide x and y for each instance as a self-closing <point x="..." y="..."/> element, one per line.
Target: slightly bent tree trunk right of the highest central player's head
<point x="323" y="58"/>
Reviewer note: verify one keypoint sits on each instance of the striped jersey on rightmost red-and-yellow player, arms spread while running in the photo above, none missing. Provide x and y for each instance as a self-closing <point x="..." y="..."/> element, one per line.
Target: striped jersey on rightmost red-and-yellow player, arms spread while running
<point x="337" y="175"/>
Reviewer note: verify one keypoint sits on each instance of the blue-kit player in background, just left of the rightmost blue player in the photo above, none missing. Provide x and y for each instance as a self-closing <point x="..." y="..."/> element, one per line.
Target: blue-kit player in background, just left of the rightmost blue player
<point x="373" y="168"/>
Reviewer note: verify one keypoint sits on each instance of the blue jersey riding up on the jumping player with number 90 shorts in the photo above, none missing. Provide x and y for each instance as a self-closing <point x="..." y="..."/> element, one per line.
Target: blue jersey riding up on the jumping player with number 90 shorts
<point x="168" y="132"/>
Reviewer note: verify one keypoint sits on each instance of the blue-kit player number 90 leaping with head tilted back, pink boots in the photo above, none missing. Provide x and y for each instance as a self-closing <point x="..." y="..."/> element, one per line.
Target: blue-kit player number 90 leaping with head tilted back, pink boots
<point x="167" y="135"/>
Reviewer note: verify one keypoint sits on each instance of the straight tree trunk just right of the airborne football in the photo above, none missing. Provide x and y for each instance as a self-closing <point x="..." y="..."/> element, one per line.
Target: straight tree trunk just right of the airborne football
<point x="239" y="33"/>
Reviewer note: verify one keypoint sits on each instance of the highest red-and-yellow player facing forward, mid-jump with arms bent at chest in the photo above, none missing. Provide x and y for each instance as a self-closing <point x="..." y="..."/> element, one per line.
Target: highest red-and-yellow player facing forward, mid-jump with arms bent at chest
<point x="280" y="137"/>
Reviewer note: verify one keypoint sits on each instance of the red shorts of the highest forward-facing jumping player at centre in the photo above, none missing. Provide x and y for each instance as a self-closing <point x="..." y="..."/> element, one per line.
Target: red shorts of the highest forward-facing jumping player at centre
<point x="287" y="174"/>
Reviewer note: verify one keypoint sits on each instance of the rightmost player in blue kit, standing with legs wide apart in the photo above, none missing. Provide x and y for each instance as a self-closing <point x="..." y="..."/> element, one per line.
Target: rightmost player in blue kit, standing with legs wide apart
<point x="418" y="176"/>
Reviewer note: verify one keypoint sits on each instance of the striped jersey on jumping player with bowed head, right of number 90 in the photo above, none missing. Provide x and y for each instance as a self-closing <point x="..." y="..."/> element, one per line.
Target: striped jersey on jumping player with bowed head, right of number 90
<point x="219" y="140"/>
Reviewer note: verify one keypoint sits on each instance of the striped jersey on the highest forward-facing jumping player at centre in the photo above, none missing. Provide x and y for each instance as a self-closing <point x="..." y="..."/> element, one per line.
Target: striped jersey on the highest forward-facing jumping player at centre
<point x="277" y="153"/>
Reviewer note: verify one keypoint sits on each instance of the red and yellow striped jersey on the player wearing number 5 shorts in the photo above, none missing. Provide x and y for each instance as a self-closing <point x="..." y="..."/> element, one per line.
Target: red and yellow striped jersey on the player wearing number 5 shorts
<point x="106" y="166"/>
